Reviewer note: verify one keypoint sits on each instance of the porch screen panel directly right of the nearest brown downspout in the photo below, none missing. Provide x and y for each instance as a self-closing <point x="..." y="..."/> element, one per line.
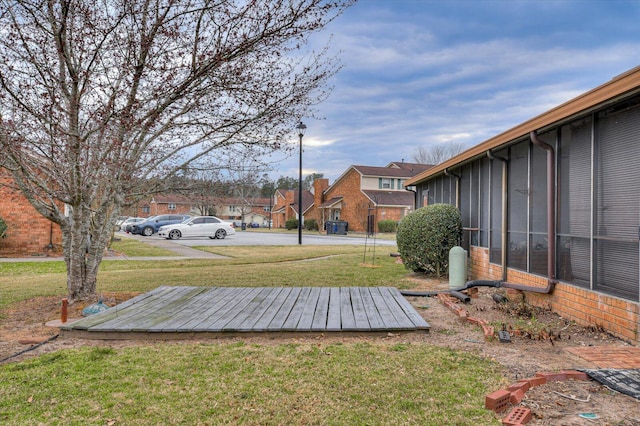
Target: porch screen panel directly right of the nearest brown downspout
<point x="573" y="250"/>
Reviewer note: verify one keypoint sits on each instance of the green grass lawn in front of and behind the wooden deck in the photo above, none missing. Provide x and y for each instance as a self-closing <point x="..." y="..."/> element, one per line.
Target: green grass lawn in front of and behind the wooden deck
<point x="354" y="381"/>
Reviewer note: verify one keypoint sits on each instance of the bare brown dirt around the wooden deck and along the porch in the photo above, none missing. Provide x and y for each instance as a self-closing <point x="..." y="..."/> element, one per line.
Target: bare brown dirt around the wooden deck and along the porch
<point x="538" y="342"/>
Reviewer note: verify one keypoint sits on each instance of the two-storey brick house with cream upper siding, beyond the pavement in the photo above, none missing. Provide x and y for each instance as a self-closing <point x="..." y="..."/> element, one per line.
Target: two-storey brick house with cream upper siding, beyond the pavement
<point x="364" y="195"/>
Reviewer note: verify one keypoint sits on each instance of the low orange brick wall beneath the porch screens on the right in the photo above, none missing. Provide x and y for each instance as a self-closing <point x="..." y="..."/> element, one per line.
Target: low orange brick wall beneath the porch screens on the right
<point x="617" y="316"/>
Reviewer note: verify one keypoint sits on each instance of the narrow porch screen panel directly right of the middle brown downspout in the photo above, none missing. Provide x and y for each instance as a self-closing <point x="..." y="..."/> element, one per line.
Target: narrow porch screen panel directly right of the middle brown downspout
<point x="518" y="205"/>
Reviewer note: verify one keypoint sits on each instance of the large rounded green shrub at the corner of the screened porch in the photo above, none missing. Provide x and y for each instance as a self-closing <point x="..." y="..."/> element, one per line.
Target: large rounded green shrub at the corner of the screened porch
<point x="425" y="237"/>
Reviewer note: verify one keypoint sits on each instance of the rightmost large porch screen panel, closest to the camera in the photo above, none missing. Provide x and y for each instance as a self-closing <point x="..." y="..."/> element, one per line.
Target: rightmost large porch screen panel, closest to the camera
<point x="617" y="203"/>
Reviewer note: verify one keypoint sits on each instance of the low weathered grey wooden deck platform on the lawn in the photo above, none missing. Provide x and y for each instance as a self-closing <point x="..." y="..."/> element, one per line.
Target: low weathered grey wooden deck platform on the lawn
<point x="190" y="312"/>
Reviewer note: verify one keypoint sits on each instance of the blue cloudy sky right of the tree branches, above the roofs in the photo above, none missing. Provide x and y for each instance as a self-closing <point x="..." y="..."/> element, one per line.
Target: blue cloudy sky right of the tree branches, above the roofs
<point x="424" y="72"/>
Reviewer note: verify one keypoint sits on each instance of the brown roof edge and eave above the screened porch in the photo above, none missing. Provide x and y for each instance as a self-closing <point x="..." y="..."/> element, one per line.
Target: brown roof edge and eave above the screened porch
<point x="623" y="85"/>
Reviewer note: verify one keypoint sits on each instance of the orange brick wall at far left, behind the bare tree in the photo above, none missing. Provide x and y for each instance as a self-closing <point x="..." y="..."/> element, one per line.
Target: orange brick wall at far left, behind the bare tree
<point x="29" y="232"/>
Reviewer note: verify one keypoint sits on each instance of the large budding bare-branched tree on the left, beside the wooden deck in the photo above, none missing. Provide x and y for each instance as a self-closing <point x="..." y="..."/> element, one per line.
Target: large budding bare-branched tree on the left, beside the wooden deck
<point x="98" y="97"/>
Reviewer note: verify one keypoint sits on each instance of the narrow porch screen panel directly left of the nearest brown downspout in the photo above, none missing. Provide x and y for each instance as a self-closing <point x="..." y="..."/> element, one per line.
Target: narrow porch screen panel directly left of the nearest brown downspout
<point x="538" y="235"/>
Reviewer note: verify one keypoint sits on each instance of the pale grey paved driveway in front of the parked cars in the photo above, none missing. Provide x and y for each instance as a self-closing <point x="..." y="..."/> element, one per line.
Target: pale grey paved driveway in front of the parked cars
<point x="256" y="238"/>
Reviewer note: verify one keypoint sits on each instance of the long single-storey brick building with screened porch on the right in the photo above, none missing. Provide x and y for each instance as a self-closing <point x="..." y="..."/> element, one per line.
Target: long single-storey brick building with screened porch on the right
<point x="553" y="206"/>
